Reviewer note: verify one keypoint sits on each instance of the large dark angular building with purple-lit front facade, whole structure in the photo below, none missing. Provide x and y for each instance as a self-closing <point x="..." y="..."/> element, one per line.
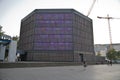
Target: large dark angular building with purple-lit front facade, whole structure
<point x="62" y="35"/>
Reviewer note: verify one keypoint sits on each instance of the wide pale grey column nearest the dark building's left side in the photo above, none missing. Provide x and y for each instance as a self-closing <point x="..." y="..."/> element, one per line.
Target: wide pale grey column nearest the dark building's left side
<point x="12" y="51"/>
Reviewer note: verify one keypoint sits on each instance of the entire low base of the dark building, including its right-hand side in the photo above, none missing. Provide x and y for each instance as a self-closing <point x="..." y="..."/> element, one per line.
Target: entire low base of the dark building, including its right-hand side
<point x="57" y="56"/>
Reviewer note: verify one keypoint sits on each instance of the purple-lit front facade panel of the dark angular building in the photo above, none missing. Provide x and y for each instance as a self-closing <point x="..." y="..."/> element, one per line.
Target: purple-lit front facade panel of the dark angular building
<point x="53" y="31"/>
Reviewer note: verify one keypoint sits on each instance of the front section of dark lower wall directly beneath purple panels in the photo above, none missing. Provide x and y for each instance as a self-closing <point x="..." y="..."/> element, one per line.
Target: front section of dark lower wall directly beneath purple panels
<point x="50" y="56"/>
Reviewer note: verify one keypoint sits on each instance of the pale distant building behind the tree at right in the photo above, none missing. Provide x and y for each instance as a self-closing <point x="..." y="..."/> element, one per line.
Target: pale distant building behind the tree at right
<point x="103" y="48"/>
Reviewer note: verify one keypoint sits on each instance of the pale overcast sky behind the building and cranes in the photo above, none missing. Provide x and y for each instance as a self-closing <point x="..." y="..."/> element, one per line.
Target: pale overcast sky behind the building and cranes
<point x="12" y="11"/>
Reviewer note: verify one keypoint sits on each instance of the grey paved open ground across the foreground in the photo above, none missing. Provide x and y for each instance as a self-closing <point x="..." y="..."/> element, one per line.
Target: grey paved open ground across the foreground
<point x="92" y="72"/>
